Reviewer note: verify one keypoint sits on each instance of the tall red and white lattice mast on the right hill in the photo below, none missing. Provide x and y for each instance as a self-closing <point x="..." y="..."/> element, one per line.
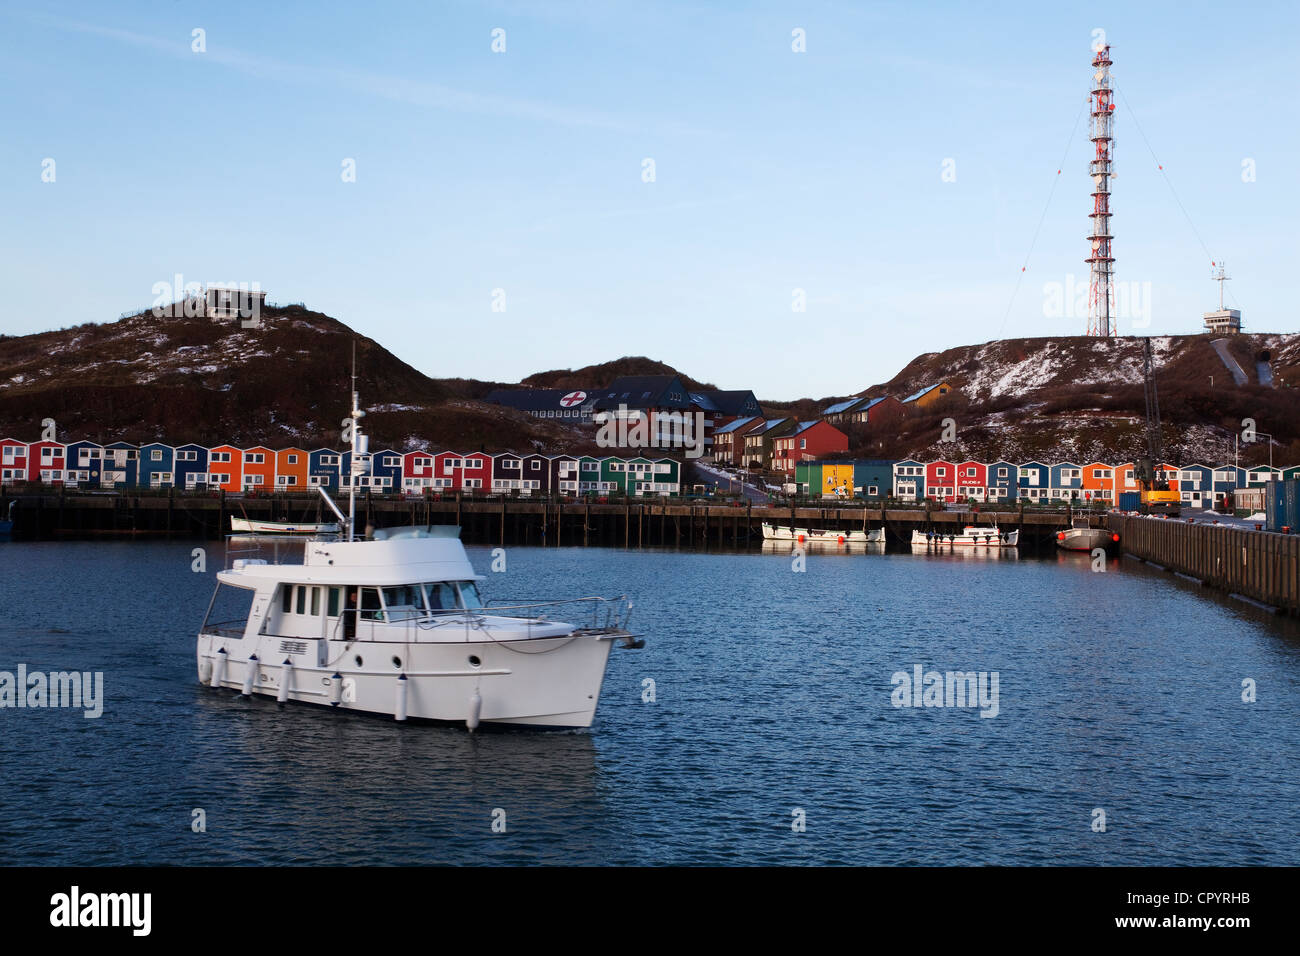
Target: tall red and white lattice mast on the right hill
<point x="1102" y="297"/>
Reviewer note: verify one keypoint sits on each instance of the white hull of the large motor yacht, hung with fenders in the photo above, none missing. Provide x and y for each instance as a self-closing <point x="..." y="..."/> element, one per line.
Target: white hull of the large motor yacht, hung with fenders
<point x="545" y="682"/>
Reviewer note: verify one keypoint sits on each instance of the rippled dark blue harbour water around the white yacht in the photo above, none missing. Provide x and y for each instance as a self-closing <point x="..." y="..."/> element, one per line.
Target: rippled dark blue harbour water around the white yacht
<point x="773" y="693"/>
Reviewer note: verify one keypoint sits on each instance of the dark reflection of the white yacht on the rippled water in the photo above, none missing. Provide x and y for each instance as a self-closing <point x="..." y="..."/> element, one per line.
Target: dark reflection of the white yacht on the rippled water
<point x="319" y="786"/>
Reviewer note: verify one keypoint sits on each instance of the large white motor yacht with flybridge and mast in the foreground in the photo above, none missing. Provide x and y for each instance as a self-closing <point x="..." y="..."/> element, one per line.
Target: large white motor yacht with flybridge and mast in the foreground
<point x="395" y="625"/>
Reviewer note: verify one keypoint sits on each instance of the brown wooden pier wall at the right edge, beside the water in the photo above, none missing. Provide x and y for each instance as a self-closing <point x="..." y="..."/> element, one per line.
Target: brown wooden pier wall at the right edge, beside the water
<point x="1256" y="565"/>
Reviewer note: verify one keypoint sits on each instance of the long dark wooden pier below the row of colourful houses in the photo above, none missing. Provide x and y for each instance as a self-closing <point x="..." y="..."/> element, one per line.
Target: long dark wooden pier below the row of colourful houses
<point x="635" y="524"/>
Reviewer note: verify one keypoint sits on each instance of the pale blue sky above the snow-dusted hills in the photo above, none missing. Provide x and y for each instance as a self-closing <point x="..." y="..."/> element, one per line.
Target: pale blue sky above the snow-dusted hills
<point x="523" y="172"/>
